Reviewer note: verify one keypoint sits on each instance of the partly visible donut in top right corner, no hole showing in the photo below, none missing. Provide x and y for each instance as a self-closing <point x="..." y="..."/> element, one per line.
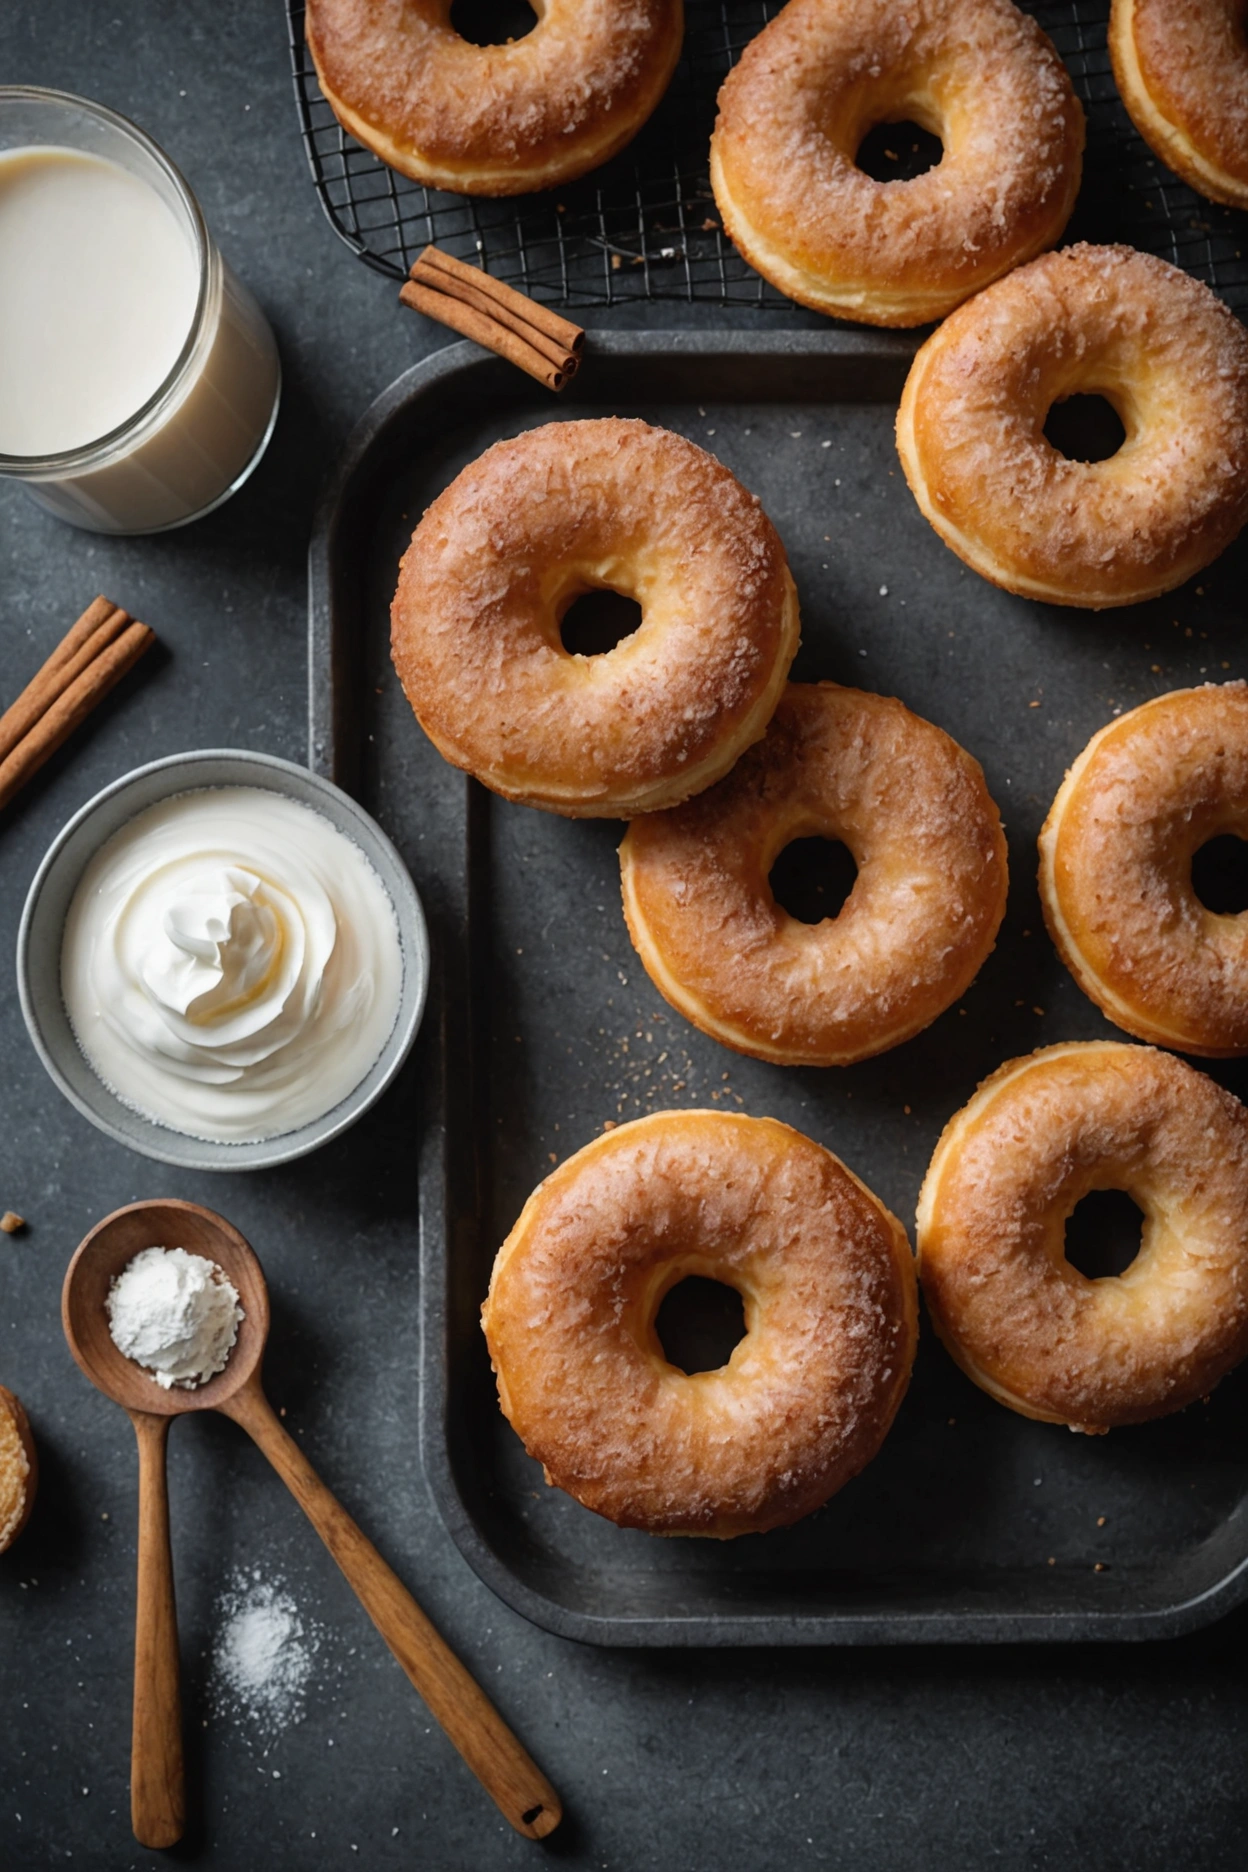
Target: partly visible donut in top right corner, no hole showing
<point x="1182" y="68"/>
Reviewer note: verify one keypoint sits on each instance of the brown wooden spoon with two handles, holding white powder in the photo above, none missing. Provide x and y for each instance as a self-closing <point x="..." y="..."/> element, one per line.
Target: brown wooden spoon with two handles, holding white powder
<point x="461" y="1706"/>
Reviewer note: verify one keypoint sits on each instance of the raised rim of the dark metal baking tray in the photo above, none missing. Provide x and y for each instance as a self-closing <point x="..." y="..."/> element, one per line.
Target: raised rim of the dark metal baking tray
<point x="327" y="755"/>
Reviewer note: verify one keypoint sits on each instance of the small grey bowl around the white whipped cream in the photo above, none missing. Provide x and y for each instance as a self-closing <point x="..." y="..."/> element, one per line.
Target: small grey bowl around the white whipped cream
<point x="44" y="920"/>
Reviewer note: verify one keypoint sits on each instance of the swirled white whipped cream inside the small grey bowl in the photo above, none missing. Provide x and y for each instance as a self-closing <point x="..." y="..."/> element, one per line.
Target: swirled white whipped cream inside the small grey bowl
<point x="231" y="965"/>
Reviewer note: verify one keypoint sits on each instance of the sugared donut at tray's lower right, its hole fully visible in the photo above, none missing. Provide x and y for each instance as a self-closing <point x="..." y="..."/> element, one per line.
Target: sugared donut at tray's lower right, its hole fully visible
<point x="1009" y="1169"/>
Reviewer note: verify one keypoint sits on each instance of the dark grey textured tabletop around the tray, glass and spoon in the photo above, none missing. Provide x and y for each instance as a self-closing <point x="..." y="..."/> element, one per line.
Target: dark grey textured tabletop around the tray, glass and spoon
<point x="1110" y="1759"/>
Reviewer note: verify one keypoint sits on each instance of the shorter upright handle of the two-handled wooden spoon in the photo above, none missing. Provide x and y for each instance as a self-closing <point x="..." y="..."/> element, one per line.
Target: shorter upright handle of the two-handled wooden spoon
<point x="156" y="1779"/>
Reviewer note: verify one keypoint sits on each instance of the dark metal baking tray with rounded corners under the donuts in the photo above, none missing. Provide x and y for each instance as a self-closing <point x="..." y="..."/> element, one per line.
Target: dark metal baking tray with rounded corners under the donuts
<point x="972" y="1523"/>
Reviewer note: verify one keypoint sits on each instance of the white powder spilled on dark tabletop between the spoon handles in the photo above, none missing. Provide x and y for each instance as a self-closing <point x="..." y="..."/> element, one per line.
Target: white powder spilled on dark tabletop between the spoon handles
<point x="263" y="1654"/>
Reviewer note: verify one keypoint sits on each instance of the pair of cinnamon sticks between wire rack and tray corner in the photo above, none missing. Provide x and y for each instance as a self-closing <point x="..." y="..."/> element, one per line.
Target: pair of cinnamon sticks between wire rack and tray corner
<point x="495" y="315"/>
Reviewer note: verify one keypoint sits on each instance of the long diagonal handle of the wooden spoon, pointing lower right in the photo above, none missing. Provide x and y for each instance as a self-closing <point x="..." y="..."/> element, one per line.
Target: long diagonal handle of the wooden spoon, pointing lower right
<point x="461" y="1706"/>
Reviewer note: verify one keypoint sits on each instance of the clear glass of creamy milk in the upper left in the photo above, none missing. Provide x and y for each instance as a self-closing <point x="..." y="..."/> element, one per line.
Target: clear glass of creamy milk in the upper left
<point x="139" y="379"/>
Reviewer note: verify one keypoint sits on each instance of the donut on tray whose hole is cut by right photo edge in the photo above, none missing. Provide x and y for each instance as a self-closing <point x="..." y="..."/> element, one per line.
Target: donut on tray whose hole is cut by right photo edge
<point x="1116" y="871"/>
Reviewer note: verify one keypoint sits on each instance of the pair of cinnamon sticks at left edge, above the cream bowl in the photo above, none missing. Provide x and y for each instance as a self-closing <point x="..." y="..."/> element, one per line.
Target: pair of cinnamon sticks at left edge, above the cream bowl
<point x="96" y="654"/>
